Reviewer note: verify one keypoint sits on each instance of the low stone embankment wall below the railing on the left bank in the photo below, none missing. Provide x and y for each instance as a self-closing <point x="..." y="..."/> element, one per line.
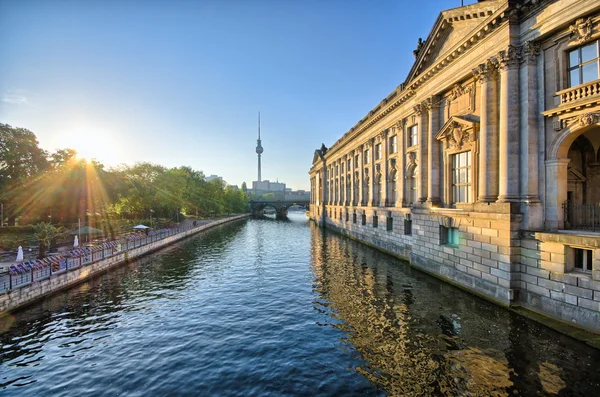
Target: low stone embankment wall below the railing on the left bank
<point x="19" y="297"/>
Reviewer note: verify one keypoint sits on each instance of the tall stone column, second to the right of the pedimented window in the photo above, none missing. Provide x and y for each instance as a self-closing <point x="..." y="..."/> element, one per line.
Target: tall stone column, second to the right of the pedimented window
<point x="509" y="125"/>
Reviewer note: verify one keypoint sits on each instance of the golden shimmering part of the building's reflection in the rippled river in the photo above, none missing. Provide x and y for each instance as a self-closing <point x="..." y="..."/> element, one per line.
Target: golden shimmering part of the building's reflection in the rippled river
<point x="387" y="325"/>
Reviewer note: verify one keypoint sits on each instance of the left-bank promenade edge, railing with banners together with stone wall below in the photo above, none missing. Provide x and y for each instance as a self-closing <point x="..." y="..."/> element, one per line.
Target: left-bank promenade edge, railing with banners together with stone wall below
<point x="43" y="281"/>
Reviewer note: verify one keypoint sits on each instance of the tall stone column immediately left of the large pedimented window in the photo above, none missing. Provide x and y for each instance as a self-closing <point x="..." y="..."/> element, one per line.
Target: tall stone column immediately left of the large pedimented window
<point x="433" y="153"/>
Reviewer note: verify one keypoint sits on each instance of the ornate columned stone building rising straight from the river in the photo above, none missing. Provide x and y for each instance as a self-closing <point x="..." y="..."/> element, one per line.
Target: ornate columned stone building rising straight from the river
<point x="483" y="167"/>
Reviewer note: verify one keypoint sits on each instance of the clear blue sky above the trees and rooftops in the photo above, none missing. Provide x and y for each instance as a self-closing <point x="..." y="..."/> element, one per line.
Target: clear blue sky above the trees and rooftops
<point x="181" y="82"/>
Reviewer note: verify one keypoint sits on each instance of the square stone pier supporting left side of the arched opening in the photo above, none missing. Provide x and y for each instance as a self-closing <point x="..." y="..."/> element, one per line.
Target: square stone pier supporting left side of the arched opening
<point x="556" y="194"/>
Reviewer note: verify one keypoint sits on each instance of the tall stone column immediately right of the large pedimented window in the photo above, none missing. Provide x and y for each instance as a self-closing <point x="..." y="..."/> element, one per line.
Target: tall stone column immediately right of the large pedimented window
<point x="488" y="134"/>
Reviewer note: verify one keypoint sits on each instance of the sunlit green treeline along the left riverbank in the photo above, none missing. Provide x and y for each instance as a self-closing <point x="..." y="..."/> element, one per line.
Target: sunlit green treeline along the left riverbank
<point x="36" y="185"/>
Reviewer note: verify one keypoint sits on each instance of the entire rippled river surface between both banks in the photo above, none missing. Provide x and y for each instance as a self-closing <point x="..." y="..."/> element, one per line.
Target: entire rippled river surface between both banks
<point x="281" y="308"/>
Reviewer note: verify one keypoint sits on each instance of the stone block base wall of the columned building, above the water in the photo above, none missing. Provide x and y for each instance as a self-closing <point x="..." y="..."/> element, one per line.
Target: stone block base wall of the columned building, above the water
<point x="491" y="258"/>
